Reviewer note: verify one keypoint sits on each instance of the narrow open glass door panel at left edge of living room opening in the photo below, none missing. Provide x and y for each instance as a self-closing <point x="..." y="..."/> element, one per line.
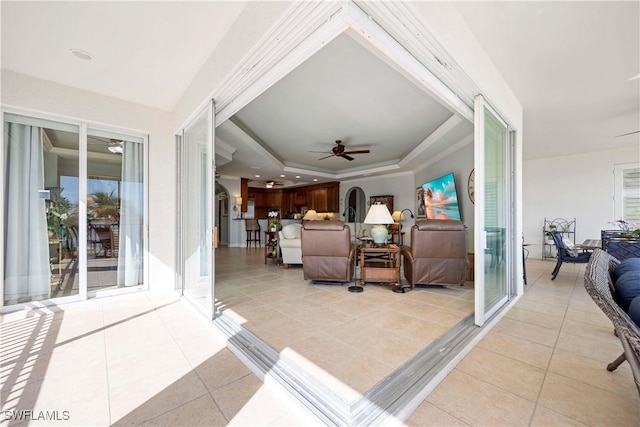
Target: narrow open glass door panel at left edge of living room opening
<point x="197" y="211"/>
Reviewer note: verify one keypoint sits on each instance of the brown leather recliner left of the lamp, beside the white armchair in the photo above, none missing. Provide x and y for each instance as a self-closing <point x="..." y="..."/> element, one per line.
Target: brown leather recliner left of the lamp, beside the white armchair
<point x="327" y="251"/>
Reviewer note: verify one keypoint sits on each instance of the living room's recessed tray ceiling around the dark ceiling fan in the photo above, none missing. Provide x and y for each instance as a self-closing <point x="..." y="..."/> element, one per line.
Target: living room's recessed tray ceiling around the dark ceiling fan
<point x="343" y="92"/>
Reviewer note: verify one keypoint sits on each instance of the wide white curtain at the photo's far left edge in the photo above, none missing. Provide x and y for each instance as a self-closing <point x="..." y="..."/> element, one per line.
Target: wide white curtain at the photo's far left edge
<point x="26" y="246"/>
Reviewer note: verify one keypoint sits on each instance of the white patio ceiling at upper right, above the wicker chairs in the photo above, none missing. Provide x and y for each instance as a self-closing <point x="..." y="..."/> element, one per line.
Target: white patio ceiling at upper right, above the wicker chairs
<point x="574" y="66"/>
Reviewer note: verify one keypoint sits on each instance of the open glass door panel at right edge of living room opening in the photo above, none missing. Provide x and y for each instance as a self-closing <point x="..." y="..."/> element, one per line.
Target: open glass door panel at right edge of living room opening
<point x="491" y="212"/>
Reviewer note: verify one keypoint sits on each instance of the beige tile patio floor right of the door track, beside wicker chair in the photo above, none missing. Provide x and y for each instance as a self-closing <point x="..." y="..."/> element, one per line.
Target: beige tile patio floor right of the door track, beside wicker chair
<point x="543" y="364"/>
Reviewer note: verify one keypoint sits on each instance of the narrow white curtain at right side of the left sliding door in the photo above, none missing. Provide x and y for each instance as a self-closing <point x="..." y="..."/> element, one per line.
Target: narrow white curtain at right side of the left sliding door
<point x="130" y="252"/>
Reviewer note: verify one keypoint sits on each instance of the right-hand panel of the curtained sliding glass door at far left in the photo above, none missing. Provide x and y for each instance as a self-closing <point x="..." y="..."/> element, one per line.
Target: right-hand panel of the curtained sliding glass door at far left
<point x="115" y="211"/>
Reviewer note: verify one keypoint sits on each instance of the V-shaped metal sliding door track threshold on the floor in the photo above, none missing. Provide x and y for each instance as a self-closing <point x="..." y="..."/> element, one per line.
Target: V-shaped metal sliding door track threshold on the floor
<point x="389" y="401"/>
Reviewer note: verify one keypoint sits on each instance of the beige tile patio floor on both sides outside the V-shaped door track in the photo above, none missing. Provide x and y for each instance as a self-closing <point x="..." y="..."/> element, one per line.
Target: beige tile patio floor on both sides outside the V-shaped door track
<point x="148" y="358"/>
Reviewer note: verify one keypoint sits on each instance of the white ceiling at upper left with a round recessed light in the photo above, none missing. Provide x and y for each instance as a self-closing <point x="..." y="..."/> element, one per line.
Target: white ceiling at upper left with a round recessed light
<point x="146" y="52"/>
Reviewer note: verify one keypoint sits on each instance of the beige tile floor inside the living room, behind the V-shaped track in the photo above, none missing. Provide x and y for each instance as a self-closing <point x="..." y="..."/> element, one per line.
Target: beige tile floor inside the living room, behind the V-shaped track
<point x="328" y="330"/>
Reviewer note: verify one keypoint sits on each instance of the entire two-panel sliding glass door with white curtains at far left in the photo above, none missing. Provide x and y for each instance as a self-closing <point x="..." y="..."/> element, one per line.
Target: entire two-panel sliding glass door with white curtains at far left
<point x="73" y="210"/>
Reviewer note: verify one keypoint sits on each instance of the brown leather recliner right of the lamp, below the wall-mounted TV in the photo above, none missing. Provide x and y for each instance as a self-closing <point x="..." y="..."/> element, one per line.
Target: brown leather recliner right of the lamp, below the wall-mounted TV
<point x="438" y="253"/>
